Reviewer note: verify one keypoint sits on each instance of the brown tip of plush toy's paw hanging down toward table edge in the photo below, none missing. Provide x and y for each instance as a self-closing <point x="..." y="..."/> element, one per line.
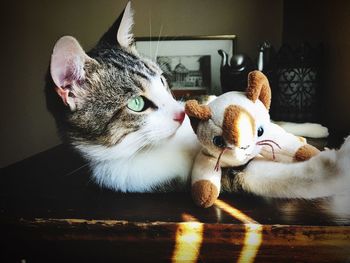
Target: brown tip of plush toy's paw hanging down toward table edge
<point x="204" y="193"/>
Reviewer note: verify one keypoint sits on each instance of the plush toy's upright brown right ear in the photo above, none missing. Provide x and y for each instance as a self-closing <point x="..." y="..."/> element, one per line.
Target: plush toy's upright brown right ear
<point x="259" y="88"/>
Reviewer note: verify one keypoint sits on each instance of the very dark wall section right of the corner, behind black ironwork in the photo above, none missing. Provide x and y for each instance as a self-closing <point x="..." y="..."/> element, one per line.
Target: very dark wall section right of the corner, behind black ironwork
<point x="326" y="22"/>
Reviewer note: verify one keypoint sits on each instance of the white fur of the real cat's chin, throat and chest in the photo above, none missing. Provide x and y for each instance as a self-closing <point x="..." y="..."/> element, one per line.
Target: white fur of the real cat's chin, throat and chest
<point x="125" y="169"/>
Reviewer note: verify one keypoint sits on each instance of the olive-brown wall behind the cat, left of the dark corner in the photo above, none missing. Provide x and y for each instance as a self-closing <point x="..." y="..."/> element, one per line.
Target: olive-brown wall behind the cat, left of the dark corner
<point x="30" y="29"/>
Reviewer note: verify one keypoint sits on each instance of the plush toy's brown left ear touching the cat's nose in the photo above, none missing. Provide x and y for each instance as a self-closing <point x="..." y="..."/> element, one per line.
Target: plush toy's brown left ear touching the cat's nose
<point x="197" y="113"/>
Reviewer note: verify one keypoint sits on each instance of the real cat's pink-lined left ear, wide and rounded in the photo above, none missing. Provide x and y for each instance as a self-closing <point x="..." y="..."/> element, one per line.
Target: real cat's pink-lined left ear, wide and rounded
<point x="67" y="68"/>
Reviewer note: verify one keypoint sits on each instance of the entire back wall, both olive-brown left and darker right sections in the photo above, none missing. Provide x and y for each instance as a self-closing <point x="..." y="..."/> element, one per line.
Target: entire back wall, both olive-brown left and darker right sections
<point x="31" y="28"/>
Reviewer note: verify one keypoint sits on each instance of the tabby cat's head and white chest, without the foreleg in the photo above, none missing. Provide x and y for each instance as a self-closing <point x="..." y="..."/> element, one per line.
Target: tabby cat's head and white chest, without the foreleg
<point x="119" y="113"/>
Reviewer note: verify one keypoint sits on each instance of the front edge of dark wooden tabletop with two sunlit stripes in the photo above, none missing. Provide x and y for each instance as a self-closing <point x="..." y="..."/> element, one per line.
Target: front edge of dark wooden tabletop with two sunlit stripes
<point x="48" y="239"/>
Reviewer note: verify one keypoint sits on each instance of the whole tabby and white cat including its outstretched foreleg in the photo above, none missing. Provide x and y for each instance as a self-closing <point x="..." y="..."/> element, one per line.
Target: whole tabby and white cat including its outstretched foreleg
<point x="115" y="107"/>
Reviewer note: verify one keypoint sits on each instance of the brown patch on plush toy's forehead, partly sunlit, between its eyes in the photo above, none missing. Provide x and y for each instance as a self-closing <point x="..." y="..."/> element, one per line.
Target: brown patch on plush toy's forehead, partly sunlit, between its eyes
<point x="237" y="123"/>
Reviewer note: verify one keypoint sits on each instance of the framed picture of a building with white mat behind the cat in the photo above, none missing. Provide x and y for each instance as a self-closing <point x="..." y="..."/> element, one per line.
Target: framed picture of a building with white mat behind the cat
<point x="191" y="65"/>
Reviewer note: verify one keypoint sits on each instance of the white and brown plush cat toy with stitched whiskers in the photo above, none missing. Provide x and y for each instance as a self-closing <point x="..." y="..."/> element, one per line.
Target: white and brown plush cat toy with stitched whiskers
<point x="235" y="130"/>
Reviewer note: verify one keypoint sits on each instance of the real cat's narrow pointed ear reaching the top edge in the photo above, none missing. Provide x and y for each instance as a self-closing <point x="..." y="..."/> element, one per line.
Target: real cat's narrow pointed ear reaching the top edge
<point x="120" y="32"/>
